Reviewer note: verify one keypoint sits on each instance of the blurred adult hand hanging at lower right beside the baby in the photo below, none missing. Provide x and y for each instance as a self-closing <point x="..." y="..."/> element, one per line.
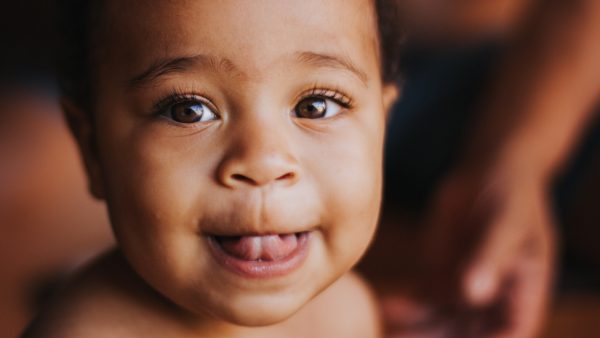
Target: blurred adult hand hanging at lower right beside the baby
<point x="489" y="252"/>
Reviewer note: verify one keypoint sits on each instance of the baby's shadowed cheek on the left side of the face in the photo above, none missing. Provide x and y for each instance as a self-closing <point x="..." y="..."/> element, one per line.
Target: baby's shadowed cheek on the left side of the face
<point x="153" y="183"/>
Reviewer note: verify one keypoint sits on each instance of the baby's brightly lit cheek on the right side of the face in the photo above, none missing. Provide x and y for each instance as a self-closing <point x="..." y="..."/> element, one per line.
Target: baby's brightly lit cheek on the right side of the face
<point x="348" y="171"/>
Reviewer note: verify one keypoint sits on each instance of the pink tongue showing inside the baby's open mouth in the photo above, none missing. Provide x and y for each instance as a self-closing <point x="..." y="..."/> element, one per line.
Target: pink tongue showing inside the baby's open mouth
<point x="253" y="248"/>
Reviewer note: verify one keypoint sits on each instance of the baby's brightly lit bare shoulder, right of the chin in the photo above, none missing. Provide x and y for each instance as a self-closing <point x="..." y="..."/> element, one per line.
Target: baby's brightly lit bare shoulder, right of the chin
<point x="348" y="308"/>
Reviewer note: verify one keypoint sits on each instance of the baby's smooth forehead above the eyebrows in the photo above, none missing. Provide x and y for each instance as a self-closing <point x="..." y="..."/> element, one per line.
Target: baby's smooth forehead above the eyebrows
<point x="255" y="35"/>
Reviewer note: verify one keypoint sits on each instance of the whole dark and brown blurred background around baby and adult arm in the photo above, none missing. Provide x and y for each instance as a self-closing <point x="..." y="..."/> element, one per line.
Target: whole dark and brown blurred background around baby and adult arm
<point x="50" y="225"/>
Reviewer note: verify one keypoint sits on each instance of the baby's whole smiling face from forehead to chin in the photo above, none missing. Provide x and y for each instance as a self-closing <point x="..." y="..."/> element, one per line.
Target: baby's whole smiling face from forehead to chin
<point x="239" y="147"/>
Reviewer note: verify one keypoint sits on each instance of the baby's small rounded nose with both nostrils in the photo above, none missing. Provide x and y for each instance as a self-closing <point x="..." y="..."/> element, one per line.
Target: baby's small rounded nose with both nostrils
<point x="258" y="156"/>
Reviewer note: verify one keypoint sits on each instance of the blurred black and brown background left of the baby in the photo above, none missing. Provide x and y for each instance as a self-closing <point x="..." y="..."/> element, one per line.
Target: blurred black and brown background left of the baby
<point x="49" y="224"/>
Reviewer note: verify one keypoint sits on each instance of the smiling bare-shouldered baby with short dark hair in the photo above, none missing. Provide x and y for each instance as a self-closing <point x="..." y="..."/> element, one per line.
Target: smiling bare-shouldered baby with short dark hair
<point x="238" y="146"/>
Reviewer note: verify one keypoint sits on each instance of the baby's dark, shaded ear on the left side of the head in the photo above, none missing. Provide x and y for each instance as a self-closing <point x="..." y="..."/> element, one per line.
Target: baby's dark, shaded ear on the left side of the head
<point x="82" y="128"/>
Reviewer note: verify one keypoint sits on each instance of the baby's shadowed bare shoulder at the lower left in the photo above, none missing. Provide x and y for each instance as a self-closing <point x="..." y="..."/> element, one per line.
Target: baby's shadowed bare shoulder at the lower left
<point x="104" y="300"/>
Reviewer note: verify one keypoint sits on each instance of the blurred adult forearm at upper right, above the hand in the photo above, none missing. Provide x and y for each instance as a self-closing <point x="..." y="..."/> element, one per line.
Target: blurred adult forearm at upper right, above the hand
<point x="545" y="91"/>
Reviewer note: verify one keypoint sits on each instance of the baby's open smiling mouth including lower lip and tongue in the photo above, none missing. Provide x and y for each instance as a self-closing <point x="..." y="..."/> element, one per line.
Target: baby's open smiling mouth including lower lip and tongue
<point x="260" y="256"/>
